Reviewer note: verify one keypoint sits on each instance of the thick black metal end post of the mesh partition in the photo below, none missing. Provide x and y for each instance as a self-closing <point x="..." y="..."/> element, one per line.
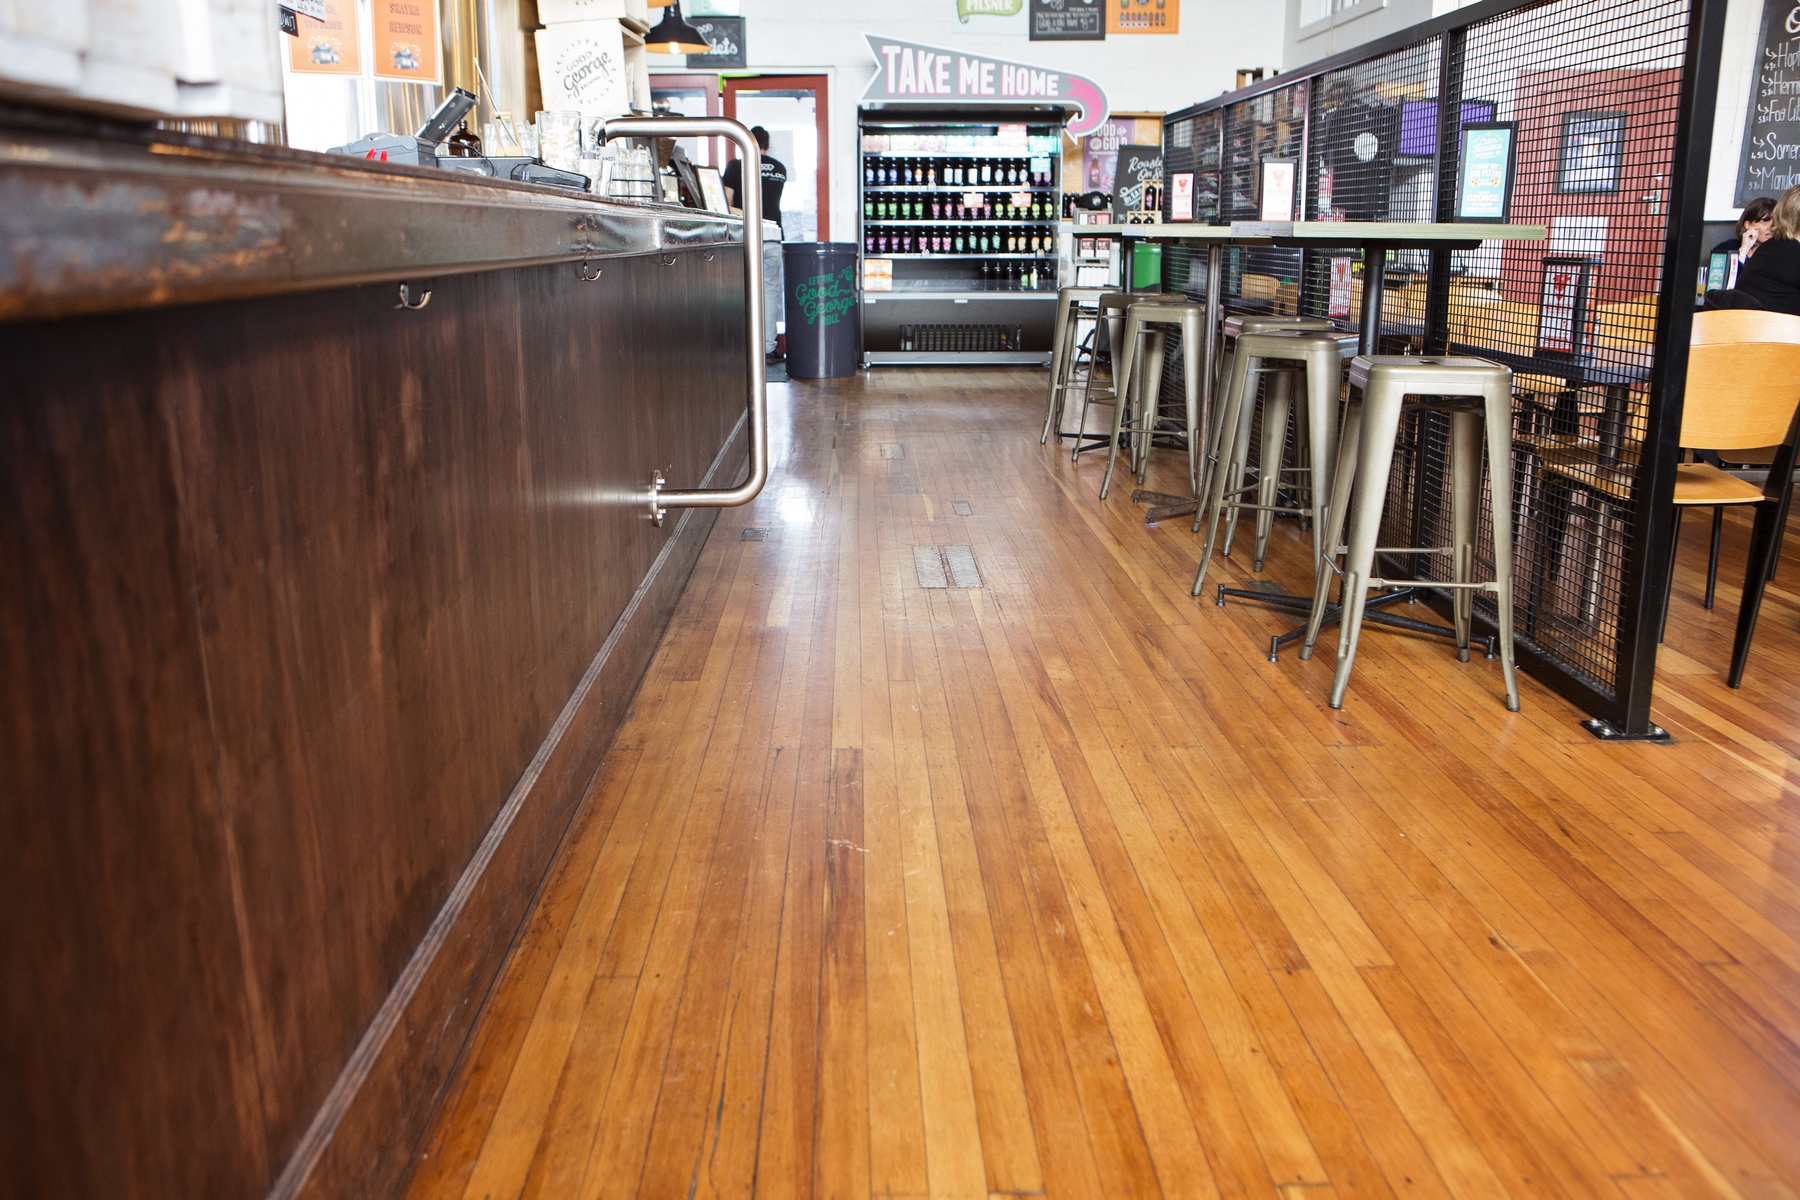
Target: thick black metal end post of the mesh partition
<point x="1650" y="550"/>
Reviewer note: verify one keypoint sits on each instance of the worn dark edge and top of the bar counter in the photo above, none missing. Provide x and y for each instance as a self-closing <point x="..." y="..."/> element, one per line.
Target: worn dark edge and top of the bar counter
<point x="116" y="219"/>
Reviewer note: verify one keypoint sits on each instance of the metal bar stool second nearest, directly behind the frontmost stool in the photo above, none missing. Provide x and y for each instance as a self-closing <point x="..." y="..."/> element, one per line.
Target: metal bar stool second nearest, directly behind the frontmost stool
<point x="1322" y="357"/>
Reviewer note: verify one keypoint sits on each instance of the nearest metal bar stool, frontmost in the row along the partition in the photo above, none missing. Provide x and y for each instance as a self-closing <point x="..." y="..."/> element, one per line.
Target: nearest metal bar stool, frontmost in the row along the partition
<point x="1475" y="393"/>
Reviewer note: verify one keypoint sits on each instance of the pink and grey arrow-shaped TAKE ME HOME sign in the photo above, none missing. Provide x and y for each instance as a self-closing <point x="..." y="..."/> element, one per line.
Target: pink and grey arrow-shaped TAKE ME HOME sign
<point x="908" y="73"/>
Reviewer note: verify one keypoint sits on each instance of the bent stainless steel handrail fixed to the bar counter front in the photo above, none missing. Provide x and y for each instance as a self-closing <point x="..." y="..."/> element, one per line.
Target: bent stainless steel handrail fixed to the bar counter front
<point x="751" y="201"/>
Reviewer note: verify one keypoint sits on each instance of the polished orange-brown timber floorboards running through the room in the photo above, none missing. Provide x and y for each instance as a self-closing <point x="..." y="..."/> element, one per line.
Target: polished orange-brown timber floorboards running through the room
<point x="1059" y="888"/>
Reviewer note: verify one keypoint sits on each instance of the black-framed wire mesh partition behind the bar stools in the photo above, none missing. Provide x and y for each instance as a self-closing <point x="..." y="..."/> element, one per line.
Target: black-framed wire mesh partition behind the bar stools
<point x="1612" y="107"/>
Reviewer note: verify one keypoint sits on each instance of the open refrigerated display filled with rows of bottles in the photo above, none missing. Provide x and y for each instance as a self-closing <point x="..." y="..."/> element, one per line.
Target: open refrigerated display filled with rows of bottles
<point x="958" y="229"/>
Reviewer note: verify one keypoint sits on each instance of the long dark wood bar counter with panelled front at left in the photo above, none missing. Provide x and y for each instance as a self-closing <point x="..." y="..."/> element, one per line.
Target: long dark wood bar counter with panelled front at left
<point x="318" y="616"/>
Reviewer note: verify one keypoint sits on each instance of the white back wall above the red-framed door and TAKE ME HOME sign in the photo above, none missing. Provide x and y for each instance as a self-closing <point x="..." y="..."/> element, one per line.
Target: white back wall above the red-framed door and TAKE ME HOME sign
<point x="1138" y="73"/>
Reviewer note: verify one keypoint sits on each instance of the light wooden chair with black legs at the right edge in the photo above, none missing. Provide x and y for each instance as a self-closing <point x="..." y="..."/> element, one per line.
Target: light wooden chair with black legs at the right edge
<point x="1743" y="391"/>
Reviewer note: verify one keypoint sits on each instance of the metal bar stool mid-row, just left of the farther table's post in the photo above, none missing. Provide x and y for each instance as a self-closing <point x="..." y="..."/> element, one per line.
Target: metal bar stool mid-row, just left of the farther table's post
<point x="1140" y="375"/>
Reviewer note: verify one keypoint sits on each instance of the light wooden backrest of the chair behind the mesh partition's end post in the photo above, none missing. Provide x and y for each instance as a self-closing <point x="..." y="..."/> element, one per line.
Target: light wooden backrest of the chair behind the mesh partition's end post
<point x="1743" y="381"/>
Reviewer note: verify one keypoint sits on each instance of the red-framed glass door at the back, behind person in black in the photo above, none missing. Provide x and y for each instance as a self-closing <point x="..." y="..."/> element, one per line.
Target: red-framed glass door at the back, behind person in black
<point x="795" y="112"/>
